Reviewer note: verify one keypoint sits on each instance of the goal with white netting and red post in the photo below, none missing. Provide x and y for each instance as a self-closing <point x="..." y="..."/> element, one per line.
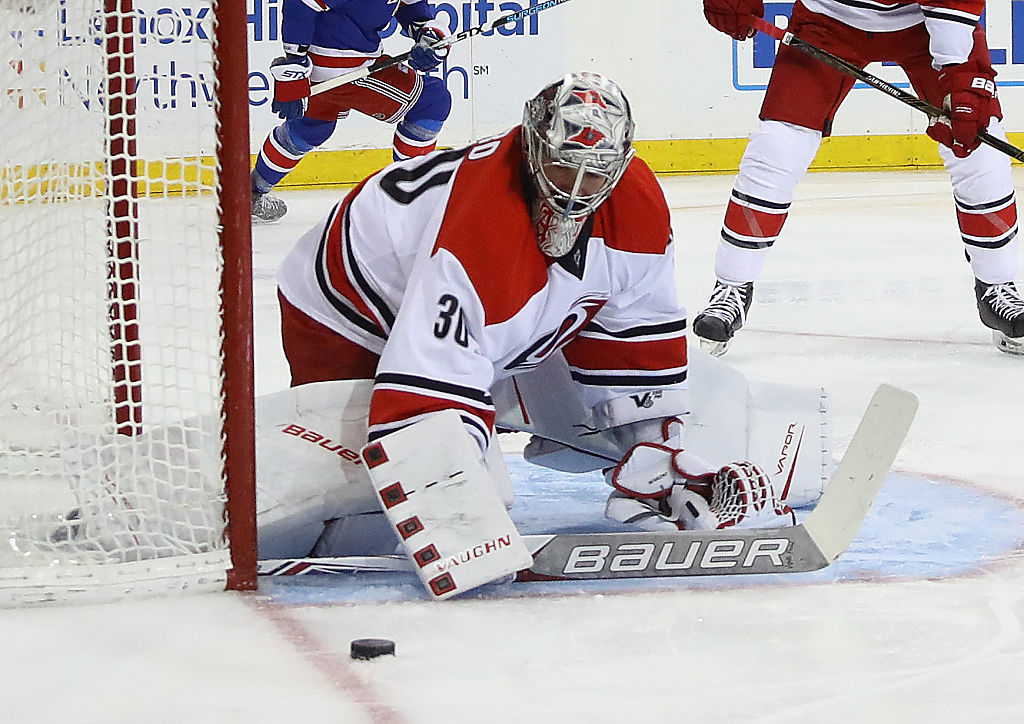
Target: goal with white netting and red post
<point x="125" y="301"/>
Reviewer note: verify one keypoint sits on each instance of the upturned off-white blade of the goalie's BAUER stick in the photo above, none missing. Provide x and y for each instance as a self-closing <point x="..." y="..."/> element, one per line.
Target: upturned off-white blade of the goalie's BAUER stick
<point x="835" y="522"/>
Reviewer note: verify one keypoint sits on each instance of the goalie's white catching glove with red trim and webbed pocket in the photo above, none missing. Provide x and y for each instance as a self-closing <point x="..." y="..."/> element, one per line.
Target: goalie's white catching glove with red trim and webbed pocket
<point x="661" y="487"/>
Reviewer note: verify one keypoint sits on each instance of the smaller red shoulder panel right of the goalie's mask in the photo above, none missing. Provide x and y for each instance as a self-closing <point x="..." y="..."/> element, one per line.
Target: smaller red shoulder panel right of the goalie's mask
<point x="635" y="219"/>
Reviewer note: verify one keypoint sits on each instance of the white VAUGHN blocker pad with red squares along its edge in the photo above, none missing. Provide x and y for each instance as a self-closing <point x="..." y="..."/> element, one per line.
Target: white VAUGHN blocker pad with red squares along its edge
<point x="435" y="488"/>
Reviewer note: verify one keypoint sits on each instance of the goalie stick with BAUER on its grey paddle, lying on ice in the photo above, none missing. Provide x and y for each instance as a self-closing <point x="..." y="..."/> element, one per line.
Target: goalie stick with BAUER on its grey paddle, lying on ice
<point x="828" y="531"/>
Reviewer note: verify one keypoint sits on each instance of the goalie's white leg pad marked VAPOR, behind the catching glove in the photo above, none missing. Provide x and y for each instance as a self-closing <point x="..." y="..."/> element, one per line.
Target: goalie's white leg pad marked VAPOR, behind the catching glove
<point x="784" y="429"/>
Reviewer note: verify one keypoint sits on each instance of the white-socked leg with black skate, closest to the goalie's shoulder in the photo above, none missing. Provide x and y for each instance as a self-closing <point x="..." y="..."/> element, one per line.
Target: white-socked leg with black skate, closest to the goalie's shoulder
<point x="776" y="160"/>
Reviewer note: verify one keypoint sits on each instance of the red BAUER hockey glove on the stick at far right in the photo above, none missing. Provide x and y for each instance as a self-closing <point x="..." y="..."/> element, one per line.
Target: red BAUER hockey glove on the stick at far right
<point x="970" y="100"/>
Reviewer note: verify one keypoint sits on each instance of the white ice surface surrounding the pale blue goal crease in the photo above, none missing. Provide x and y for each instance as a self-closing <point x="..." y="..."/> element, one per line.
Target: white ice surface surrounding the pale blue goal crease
<point x="868" y="285"/>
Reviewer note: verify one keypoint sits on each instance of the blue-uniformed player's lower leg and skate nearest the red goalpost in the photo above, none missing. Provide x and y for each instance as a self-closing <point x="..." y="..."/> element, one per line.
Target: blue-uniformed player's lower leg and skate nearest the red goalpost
<point x="283" y="150"/>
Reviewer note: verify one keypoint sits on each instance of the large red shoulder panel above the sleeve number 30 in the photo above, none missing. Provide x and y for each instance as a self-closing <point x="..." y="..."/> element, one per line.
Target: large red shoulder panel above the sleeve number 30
<point x="487" y="227"/>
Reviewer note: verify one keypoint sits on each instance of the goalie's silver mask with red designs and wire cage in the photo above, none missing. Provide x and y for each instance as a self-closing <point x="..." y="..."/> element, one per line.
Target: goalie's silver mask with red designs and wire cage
<point x="578" y="142"/>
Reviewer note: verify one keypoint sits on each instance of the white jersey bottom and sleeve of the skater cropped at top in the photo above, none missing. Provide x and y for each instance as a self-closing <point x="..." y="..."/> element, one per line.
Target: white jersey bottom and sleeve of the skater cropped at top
<point x="951" y="24"/>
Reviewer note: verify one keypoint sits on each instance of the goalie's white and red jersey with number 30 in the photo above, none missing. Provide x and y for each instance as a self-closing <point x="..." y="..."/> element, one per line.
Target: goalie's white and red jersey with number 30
<point x="434" y="265"/>
